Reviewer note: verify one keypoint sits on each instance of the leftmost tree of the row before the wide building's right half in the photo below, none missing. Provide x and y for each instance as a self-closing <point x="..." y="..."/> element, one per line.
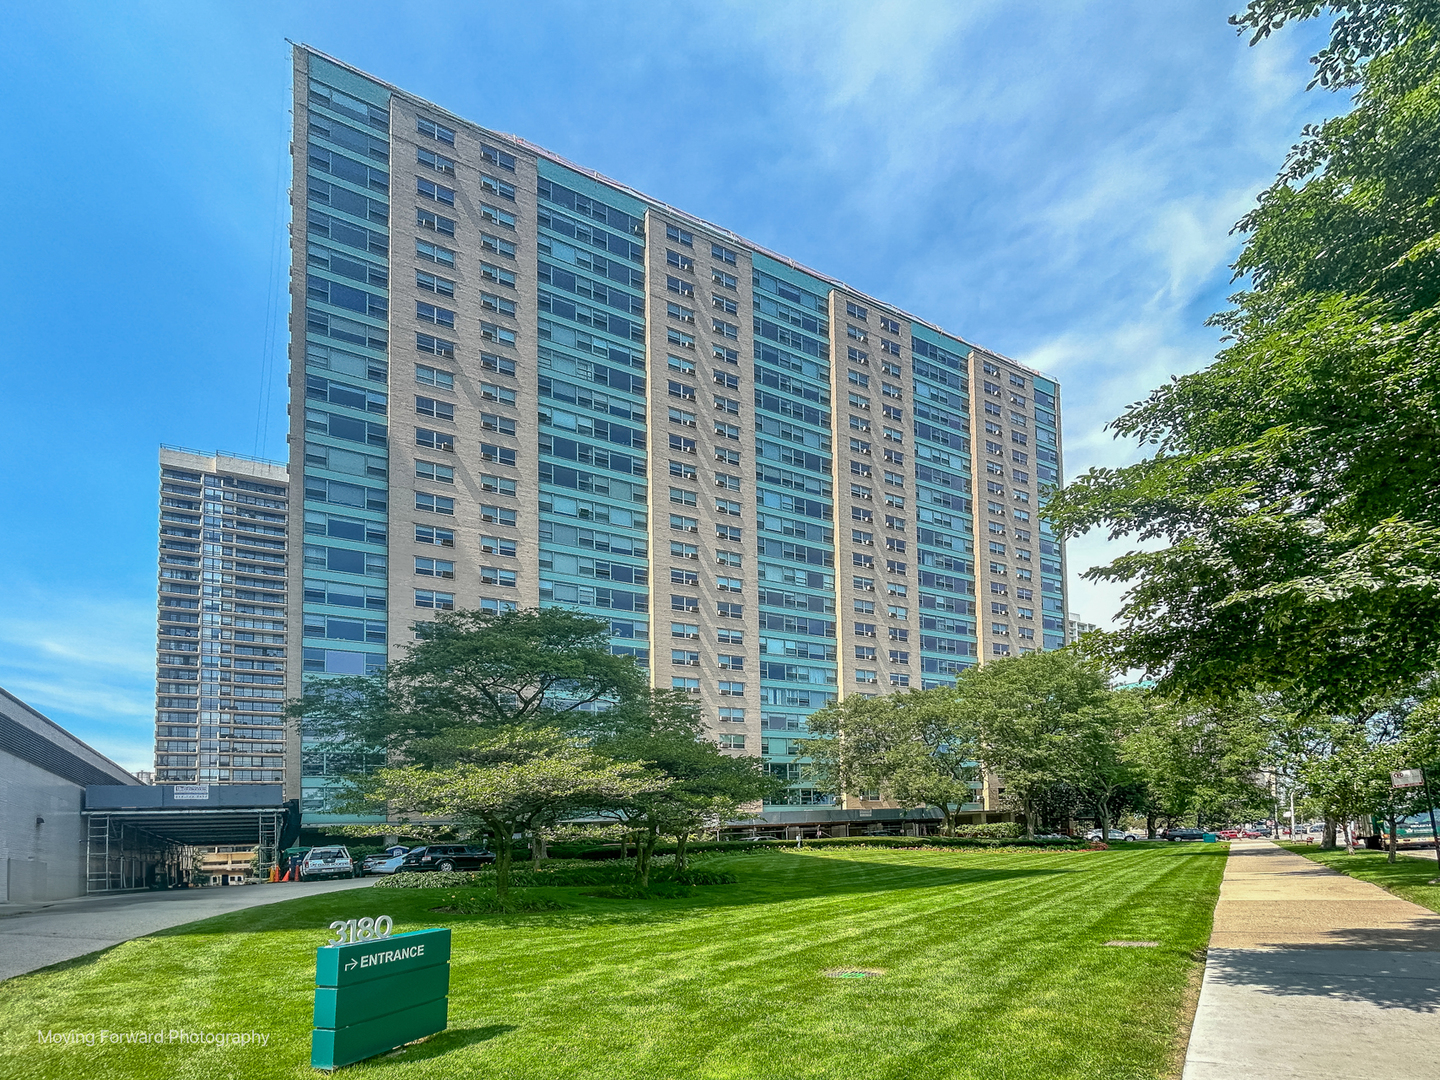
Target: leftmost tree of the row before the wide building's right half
<point x="912" y="747"/>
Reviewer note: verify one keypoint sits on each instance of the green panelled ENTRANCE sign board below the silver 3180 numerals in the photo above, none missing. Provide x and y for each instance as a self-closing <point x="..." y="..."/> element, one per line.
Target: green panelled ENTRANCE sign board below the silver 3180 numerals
<point x="377" y="996"/>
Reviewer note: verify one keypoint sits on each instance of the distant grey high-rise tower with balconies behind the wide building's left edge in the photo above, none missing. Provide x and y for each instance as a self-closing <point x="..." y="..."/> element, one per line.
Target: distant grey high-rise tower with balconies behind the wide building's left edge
<point x="222" y="646"/>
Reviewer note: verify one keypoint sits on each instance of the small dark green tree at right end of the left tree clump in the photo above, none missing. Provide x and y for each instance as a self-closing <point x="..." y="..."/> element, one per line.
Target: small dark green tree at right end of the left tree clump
<point x="701" y="783"/>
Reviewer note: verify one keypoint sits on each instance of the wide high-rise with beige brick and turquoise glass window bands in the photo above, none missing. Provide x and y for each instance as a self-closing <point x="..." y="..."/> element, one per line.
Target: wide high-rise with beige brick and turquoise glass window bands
<point x="529" y="385"/>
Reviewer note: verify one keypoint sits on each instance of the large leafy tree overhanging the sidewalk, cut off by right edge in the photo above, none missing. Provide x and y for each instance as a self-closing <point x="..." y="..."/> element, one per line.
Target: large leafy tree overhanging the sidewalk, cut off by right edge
<point x="1295" y="485"/>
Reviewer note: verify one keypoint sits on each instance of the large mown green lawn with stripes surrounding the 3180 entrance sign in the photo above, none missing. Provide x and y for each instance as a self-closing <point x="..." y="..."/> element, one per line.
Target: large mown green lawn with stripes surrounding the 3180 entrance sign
<point x="994" y="967"/>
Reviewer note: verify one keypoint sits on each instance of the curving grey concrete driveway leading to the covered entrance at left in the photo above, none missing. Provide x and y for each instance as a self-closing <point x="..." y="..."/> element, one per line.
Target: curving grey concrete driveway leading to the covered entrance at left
<point x="40" y="935"/>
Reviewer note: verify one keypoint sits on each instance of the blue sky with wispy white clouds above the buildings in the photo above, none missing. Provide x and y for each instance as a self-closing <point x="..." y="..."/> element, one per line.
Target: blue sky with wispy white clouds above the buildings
<point x="1053" y="181"/>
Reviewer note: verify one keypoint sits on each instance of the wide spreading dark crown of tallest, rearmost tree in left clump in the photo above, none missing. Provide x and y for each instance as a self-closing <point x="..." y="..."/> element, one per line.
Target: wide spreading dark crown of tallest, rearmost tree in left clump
<point x="473" y="672"/>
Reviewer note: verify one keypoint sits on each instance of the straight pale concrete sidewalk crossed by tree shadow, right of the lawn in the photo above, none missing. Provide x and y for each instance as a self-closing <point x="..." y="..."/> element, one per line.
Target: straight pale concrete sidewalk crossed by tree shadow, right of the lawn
<point x="1313" y="974"/>
